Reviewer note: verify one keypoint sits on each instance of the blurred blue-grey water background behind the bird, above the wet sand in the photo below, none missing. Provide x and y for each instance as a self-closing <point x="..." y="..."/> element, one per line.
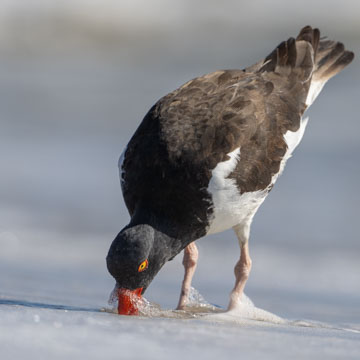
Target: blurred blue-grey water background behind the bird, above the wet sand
<point x="76" y="79"/>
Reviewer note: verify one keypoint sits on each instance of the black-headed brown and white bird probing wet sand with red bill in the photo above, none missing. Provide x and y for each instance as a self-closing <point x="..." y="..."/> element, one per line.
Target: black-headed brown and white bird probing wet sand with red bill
<point x="205" y="157"/>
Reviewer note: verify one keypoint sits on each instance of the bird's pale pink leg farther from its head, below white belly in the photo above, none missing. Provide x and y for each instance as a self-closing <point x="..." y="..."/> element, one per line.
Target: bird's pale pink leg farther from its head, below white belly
<point x="242" y="267"/>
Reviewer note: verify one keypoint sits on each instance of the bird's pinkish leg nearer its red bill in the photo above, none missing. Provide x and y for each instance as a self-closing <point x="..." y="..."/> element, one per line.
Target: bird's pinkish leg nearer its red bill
<point x="191" y="255"/>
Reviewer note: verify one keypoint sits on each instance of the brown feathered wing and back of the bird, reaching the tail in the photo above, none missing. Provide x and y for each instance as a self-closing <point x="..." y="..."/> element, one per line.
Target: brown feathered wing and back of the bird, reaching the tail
<point x="211" y="116"/>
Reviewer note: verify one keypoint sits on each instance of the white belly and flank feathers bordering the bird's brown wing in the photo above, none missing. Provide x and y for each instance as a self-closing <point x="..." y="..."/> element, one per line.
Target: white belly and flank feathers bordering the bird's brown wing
<point x="230" y="208"/>
